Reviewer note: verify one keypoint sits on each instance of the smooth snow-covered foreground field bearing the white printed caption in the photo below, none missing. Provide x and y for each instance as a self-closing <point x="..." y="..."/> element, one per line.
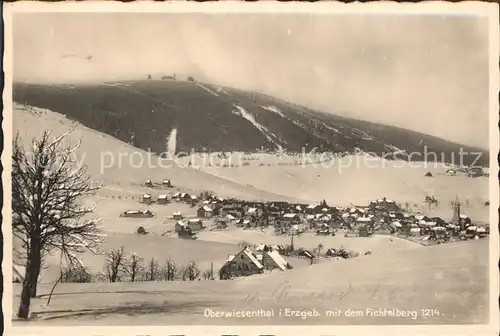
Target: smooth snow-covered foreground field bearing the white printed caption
<point x="451" y="279"/>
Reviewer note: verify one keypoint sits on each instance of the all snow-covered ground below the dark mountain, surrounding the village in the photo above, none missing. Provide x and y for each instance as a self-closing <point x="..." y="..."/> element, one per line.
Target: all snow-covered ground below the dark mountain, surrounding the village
<point x="452" y="278"/>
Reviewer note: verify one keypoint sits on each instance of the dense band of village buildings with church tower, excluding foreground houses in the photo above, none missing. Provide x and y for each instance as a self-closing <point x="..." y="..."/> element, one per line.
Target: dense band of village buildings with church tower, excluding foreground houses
<point x="381" y="216"/>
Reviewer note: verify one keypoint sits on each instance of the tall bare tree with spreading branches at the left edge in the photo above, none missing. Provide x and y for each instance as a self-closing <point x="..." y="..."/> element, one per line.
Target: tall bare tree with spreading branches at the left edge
<point x="47" y="187"/>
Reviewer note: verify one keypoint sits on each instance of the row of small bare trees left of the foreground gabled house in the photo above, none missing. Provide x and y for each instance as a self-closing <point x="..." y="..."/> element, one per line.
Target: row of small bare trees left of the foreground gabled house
<point x="121" y="266"/>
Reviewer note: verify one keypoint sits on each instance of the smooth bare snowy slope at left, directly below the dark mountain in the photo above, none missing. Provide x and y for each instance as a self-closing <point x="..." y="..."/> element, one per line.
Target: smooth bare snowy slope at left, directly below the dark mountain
<point x="111" y="162"/>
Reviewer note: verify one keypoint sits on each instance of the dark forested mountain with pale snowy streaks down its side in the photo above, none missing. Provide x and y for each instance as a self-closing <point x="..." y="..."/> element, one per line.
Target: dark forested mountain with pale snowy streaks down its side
<point x="212" y="118"/>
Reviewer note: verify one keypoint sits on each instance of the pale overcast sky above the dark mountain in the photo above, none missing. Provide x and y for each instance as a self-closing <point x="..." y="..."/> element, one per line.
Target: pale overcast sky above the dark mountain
<point x="413" y="71"/>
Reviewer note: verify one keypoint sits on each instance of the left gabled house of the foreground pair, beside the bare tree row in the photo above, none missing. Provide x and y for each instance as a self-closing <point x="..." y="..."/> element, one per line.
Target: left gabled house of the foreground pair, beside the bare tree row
<point x="244" y="263"/>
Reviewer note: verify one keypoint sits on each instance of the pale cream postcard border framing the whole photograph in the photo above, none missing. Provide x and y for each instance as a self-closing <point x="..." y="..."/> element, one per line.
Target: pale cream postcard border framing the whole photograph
<point x="490" y="10"/>
